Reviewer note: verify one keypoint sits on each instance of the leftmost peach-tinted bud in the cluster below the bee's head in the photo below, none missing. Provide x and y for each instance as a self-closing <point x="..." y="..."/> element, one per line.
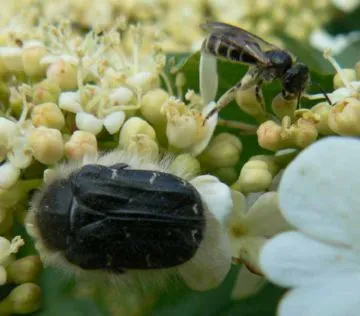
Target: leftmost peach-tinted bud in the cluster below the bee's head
<point x="269" y="136"/>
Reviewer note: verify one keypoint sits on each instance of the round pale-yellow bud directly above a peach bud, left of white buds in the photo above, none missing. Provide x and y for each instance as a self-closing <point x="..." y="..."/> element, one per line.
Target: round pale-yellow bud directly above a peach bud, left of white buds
<point x="49" y="115"/>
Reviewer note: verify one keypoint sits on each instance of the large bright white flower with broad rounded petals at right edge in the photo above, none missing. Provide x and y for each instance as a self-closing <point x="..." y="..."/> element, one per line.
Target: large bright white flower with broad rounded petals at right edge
<point x="318" y="194"/>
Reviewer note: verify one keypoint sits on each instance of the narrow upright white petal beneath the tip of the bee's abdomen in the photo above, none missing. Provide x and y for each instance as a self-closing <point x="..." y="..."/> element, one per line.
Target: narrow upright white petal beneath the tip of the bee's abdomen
<point x="208" y="77"/>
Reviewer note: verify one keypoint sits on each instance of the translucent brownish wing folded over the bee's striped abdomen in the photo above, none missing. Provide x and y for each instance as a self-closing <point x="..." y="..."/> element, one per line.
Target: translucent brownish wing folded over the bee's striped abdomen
<point x="241" y="39"/>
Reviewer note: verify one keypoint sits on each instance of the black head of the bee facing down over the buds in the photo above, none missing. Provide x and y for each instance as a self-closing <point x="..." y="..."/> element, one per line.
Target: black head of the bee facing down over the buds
<point x="296" y="79"/>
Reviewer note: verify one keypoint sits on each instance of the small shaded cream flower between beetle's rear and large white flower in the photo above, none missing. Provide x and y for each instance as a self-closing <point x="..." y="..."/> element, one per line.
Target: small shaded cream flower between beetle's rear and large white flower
<point x="249" y="230"/>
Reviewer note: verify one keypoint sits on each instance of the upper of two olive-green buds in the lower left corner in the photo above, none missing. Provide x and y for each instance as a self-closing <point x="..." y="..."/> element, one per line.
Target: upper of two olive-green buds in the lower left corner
<point x="24" y="270"/>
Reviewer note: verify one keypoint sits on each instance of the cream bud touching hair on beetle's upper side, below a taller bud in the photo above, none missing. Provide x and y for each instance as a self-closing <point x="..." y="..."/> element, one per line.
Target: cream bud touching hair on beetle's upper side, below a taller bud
<point x="143" y="146"/>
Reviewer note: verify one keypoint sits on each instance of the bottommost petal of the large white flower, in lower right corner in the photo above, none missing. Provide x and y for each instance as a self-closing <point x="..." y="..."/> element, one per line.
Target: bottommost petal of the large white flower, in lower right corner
<point x="338" y="296"/>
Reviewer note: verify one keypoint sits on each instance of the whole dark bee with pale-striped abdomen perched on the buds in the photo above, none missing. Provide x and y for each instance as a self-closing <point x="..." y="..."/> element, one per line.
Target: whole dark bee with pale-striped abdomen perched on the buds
<point x="267" y="62"/>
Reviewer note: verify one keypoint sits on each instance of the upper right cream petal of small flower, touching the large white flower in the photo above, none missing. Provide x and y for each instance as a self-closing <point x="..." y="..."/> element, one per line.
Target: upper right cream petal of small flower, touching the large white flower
<point x="264" y="217"/>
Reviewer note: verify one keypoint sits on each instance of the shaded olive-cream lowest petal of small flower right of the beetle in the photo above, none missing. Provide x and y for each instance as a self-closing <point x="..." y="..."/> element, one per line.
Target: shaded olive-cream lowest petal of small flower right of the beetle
<point x="247" y="284"/>
